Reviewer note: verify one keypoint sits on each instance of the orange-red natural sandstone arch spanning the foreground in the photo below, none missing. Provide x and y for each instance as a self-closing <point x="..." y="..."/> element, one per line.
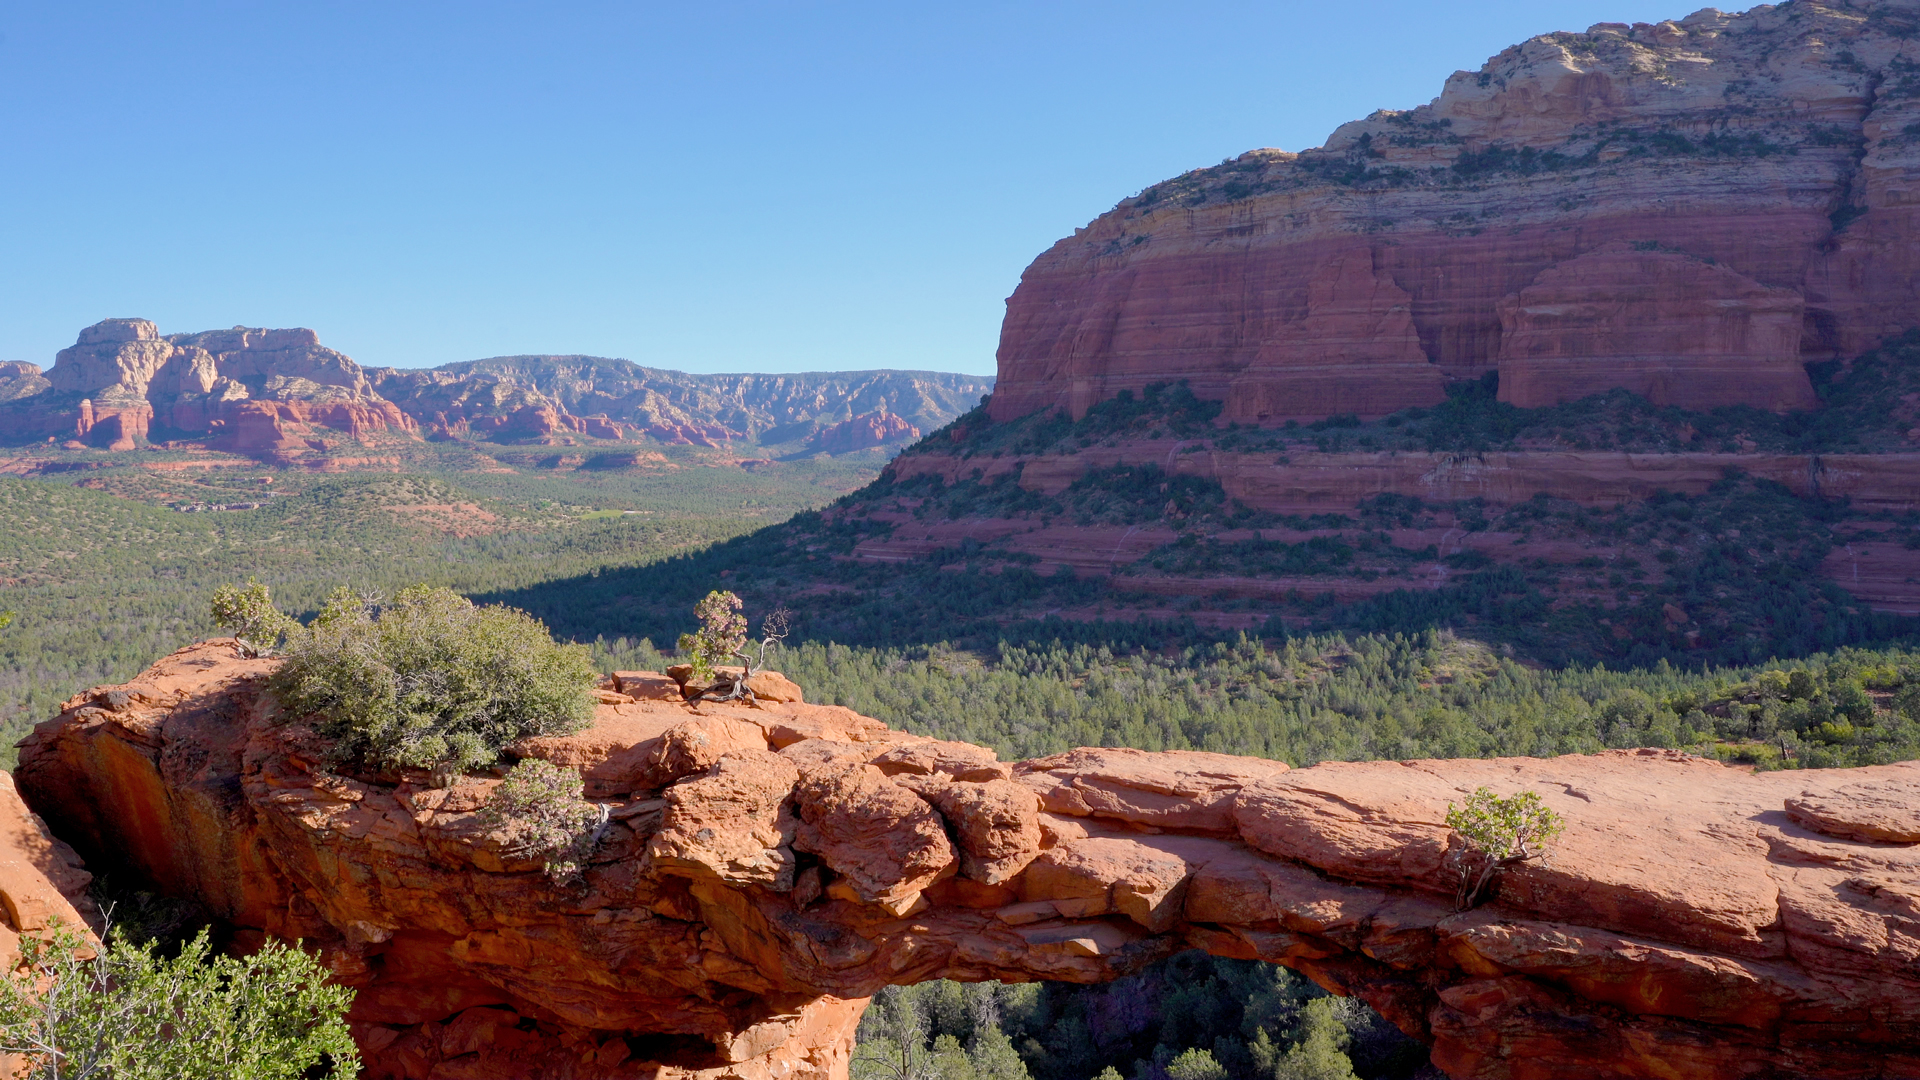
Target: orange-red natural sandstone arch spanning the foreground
<point x="771" y="868"/>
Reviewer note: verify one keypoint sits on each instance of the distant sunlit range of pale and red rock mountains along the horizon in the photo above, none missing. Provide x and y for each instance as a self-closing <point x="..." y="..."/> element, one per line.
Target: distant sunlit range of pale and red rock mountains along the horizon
<point x="283" y="395"/>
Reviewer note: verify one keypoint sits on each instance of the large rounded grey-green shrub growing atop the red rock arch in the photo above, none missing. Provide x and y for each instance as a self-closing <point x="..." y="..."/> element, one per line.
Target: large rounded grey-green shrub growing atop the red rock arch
<point x="431" y="681"/>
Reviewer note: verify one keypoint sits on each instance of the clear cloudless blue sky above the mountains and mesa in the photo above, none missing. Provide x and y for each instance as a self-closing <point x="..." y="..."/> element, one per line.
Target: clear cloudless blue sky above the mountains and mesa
<point x="700" y="185"/>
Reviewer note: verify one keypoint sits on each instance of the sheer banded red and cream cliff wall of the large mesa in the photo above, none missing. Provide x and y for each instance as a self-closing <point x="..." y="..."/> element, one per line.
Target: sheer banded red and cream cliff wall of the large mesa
<point x="1687" y="209"/>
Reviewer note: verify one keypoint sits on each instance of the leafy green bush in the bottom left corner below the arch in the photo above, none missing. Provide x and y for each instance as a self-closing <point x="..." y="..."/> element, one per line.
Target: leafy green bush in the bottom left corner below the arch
<point x="132" y="1014"/>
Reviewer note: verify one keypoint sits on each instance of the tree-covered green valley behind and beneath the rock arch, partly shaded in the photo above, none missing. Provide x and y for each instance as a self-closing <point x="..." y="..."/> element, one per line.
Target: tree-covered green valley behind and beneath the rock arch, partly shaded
<point x="972" y="645"/>
